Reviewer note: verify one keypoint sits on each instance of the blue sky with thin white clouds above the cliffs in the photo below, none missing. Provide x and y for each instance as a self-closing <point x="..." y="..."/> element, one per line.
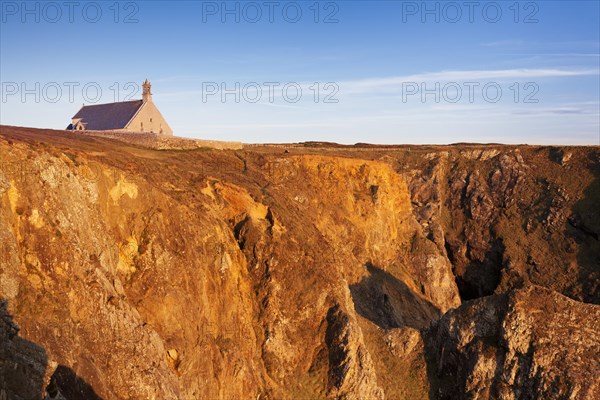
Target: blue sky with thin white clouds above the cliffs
<point x="353" y="71"/>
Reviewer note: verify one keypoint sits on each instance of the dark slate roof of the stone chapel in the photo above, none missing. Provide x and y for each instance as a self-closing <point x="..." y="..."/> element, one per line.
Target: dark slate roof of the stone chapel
<point x="100" y="117"/>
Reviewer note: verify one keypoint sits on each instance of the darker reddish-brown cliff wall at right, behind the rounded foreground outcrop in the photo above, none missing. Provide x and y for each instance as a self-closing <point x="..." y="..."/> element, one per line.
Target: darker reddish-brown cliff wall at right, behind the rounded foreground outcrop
<point x="510" y="217"/>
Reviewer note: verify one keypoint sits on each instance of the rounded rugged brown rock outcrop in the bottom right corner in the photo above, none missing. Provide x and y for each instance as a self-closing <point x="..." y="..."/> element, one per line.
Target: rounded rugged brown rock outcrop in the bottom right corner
<point x="524" y="344"/>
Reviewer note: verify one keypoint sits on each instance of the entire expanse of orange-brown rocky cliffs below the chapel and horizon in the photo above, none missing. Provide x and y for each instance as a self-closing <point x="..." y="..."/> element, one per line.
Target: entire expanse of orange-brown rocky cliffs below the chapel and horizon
<point x="133" y="273"/>
